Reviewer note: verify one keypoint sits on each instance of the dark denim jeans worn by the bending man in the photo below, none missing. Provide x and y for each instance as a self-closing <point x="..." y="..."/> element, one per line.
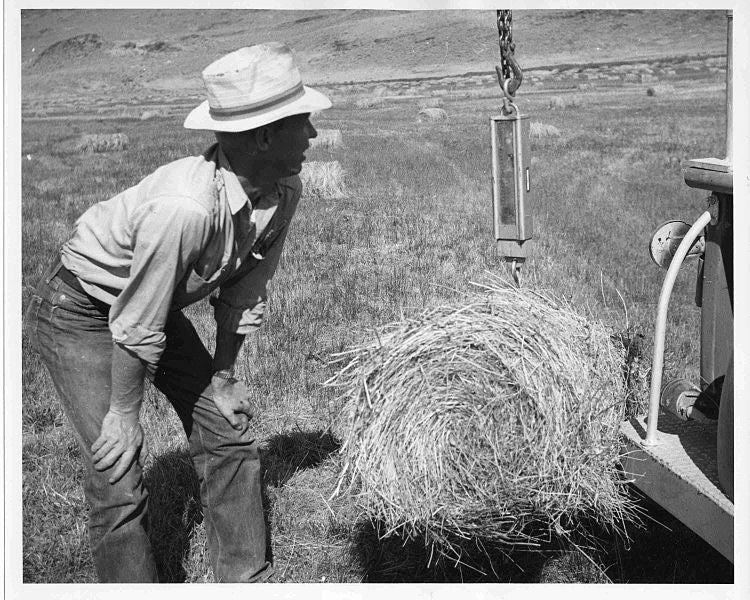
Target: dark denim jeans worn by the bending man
<point x="70" y="331"/>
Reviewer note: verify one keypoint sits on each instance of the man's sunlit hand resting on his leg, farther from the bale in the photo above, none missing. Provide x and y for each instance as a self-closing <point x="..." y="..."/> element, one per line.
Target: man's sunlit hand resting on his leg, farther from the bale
<point x="120" y="443"/>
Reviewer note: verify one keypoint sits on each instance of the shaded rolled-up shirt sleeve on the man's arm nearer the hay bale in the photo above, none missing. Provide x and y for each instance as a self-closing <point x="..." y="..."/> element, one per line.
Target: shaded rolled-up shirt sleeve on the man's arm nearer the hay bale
<point x="241" y="304"/>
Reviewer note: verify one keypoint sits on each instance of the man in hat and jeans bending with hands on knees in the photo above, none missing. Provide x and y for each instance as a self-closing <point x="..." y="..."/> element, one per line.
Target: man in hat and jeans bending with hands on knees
<point x="107" y="314"/>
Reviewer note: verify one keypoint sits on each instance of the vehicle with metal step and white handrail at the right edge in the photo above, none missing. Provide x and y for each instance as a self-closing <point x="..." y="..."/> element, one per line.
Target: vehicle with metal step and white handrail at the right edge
<point x="677" y="455"/>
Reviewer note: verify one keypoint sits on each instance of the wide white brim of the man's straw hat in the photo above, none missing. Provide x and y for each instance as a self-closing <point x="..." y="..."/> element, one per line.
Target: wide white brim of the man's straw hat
<point x="311" y="101"/>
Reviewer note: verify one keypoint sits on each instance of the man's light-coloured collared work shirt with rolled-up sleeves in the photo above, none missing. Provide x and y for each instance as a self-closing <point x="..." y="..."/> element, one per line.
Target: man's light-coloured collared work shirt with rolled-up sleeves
<point x="174" y="238"/>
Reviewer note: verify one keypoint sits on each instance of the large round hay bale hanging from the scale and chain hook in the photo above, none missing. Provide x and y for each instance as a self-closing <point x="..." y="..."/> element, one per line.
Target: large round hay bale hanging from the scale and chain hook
<point x="496" y="420"/>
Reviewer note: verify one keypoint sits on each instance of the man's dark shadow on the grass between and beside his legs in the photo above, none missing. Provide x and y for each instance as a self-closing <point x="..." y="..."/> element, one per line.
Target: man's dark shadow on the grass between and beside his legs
<point x="174" y="498"/>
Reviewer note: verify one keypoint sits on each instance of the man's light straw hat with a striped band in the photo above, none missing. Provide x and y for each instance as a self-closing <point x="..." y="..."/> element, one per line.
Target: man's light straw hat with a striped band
<point x="251" y="87"/>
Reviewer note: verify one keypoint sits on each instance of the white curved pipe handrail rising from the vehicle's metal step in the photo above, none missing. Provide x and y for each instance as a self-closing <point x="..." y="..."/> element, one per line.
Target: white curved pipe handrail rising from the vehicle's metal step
<point x="657" y="364"/>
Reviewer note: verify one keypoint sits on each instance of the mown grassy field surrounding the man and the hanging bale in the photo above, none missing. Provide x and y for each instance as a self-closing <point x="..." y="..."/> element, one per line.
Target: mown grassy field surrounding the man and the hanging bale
<point x="414" y="231"/>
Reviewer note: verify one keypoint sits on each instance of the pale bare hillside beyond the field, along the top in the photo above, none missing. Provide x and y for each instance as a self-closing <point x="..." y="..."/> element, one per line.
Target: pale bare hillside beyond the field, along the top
<point x="137" y="53"/>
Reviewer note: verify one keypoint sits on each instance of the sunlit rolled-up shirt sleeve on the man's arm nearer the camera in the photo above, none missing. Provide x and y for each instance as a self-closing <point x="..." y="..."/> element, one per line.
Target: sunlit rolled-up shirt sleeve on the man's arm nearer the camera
<point x="168" y="235"/>
